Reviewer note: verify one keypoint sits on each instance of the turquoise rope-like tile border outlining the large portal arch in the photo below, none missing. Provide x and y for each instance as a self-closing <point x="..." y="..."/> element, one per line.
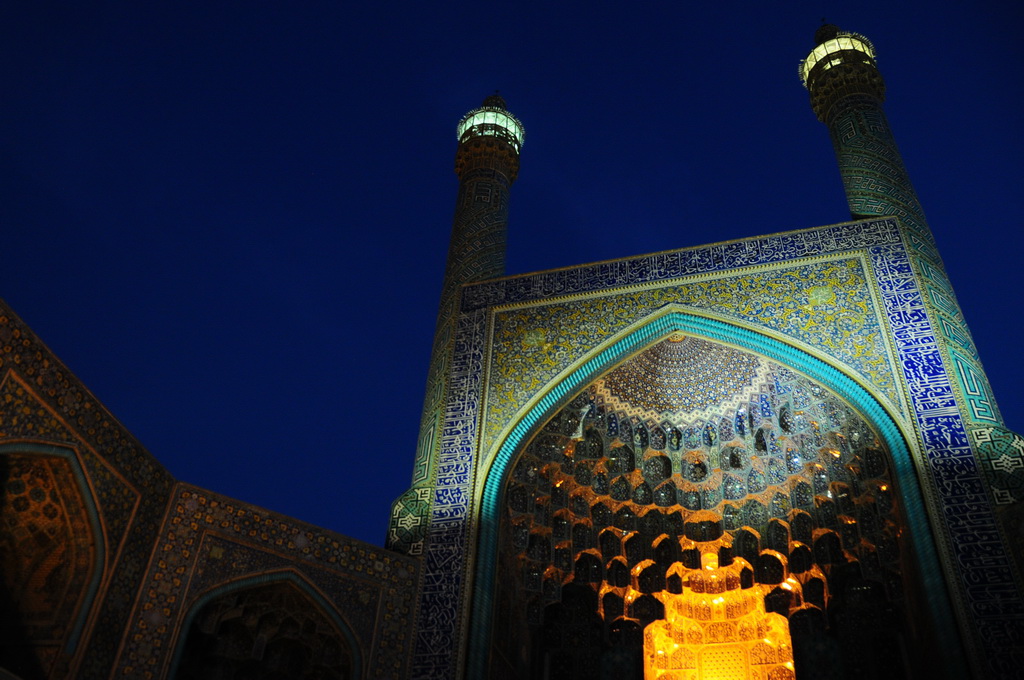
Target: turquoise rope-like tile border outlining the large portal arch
<point x="633" y="342"/>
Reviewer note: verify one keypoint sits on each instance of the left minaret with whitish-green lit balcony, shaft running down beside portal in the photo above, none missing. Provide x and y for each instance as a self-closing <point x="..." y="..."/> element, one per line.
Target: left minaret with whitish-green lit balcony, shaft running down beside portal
<point x="487" y="163"/>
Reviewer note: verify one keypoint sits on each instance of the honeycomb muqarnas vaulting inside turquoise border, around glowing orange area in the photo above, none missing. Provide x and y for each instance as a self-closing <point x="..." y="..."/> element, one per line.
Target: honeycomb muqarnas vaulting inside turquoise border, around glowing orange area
<point x="693" y="449"/>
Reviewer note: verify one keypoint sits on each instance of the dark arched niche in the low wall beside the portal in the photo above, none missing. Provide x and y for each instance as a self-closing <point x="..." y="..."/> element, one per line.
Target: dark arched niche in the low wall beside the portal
<point x="273" y="627"/>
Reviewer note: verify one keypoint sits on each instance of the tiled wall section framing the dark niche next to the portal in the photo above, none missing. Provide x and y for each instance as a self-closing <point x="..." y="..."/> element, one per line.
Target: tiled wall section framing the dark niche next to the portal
<point x="210" y="542"/>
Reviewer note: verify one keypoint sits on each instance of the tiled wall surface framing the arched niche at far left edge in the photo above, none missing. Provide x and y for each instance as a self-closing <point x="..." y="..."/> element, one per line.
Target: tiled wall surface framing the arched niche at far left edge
<point x="48" y="416"/>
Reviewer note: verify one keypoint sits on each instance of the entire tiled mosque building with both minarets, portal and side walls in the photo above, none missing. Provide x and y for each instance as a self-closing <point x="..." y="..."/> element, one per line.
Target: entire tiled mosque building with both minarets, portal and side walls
<point x="764" y="459"/>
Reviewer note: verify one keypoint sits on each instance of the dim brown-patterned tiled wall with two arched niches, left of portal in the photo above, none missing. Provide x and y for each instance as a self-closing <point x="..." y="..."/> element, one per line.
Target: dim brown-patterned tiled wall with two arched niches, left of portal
<point x="84" y="509"/>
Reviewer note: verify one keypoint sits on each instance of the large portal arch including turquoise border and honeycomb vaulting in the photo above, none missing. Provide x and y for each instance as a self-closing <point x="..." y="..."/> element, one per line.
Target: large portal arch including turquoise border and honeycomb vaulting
<point x="798" y="464"/>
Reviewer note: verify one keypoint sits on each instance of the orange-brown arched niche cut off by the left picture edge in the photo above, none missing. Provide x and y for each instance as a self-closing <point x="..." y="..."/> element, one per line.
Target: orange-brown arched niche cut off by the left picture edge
<point x="52" y="557"/>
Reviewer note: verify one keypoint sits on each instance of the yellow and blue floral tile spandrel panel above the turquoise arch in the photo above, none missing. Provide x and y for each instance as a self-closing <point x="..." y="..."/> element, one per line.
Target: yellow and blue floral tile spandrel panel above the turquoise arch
<point x="827" y="305"/>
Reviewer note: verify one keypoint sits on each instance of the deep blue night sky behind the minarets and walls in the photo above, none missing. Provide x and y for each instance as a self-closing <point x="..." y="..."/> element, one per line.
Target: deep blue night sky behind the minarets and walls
<point x="231" y="220"/>
